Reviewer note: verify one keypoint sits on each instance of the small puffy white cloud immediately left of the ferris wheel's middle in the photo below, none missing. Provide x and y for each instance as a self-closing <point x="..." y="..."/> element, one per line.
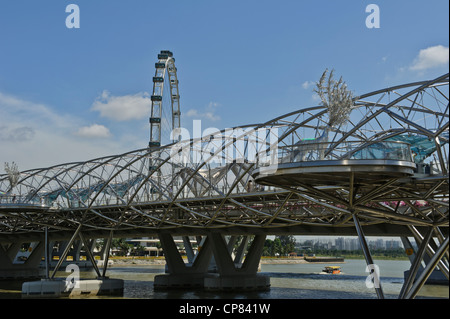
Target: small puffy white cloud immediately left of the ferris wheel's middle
<point x="123" y="108"/>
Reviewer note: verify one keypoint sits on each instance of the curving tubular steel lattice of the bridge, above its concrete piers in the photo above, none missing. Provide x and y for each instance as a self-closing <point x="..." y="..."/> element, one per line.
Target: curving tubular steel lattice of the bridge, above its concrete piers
<point x="209" y="182"/>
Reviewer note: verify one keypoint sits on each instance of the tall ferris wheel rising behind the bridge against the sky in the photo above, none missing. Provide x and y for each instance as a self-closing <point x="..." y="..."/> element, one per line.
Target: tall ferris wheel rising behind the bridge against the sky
<point x="164" y="119"/>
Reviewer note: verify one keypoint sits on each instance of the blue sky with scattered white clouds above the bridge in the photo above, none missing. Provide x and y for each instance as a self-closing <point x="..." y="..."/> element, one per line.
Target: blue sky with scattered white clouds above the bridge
<point x="76" y="94"/>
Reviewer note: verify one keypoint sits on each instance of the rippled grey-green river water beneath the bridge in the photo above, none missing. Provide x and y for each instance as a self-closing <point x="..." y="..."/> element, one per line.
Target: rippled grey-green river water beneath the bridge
<point x="288" y="281"/>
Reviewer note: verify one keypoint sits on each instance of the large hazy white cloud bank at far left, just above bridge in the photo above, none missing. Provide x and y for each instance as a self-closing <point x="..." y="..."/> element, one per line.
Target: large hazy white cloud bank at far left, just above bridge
<point x="35" y="135"/>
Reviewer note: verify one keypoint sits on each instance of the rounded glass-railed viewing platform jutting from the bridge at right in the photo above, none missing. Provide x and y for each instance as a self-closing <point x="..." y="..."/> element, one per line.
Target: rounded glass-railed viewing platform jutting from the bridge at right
<point x="366" y="164"/>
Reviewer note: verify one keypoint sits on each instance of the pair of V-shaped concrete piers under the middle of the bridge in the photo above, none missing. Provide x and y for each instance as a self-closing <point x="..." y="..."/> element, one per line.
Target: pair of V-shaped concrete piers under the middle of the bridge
<point x="231" y="274"/>
